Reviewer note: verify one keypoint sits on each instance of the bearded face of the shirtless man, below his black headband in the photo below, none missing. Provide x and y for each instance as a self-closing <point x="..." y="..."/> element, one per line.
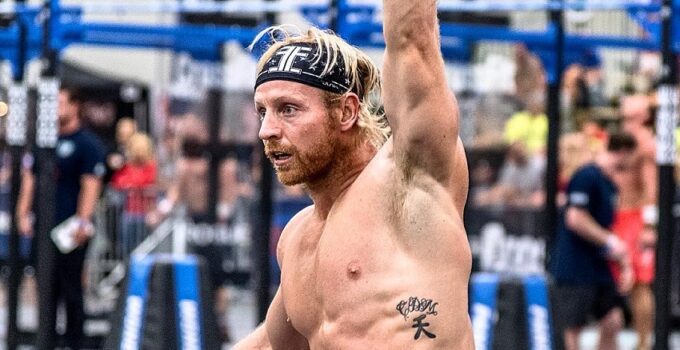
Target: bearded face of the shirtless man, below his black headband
<point x="299" y="134"/>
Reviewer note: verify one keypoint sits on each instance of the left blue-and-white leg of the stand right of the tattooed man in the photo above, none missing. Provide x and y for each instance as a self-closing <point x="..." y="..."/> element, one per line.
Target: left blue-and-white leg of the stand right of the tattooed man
<point x="483" y="308"/>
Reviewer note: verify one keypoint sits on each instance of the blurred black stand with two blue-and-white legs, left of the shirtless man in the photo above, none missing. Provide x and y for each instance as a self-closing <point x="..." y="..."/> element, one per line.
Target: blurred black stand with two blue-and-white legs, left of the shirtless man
<point x="168" y="306"/>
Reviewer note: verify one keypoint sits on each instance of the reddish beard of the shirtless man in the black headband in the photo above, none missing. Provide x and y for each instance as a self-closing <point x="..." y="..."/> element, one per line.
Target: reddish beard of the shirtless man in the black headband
<point x="305" y="167"/>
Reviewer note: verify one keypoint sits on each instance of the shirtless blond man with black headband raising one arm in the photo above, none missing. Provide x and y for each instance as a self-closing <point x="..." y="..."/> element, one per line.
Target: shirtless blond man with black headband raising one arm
<point x="381" y="259"/>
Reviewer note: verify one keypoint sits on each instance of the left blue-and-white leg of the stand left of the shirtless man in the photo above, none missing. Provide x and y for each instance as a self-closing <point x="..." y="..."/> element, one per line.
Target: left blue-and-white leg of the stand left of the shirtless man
<point x="135" y="302"/>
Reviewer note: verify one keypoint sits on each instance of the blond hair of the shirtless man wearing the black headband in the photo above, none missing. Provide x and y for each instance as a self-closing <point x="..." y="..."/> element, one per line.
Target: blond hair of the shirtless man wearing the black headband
<point x="363" y="74"/>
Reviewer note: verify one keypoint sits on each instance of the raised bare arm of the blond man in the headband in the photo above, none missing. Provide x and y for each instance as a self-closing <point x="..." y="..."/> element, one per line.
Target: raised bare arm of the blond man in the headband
<point x="420" y="107"/>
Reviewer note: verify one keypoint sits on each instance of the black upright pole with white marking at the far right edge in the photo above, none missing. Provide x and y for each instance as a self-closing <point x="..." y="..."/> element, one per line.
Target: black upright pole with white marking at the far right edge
<point x="666" y="120"/>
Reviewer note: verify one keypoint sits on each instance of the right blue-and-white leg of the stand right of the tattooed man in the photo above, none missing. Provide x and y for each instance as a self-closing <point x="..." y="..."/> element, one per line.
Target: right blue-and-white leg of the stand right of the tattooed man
<point x="538" y="312"/>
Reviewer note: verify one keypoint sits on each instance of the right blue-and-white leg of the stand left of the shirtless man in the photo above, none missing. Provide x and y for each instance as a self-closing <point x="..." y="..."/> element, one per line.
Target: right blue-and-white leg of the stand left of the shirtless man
<point x="188" y="303"/>
